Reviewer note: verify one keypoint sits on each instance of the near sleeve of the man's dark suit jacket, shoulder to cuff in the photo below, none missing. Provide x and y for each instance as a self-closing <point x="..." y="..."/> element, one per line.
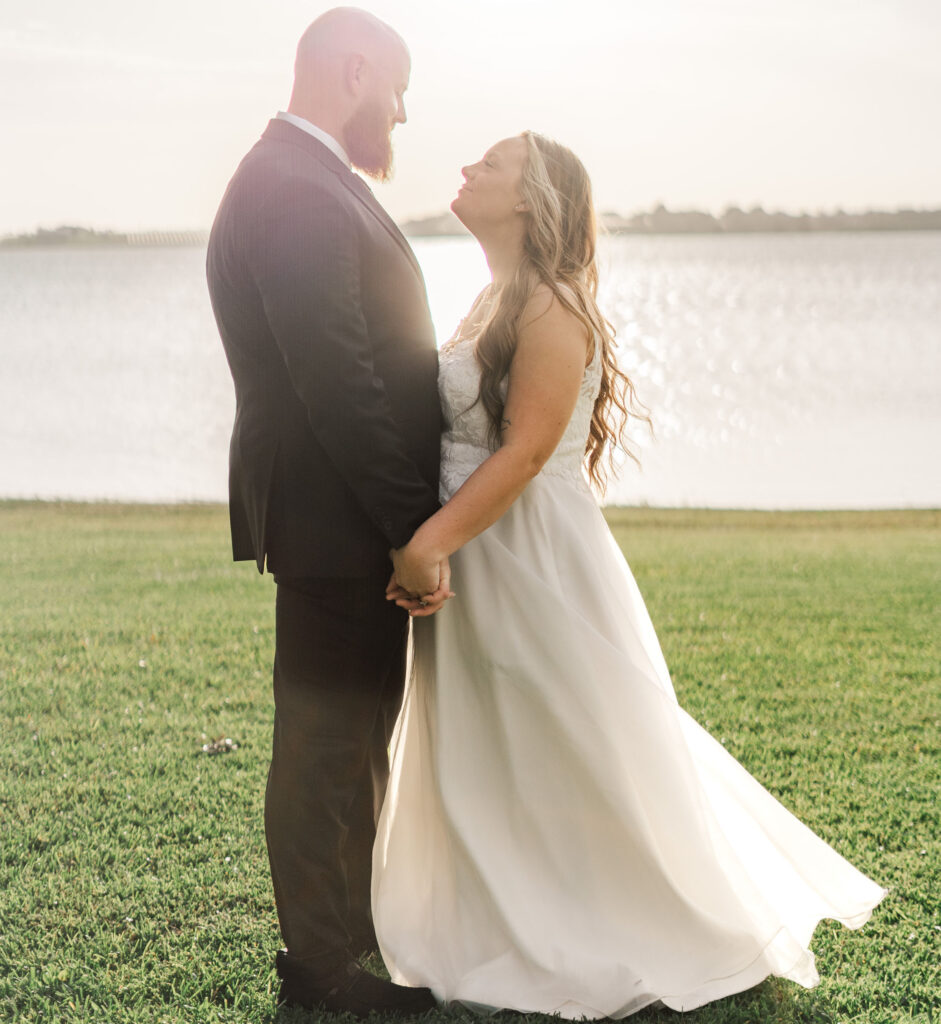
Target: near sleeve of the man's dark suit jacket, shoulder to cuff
<point x="306" y="264"/>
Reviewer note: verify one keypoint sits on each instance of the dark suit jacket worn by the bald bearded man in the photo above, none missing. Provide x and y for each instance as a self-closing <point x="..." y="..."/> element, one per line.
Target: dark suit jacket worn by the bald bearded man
<point x="324" y="317"/>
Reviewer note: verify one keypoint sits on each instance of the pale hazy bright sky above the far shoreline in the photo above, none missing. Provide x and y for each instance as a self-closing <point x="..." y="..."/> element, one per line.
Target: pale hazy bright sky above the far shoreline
<point x="130" y="115"/>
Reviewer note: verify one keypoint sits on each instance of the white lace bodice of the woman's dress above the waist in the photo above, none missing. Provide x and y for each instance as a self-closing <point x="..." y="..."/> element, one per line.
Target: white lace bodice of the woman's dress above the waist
<point x="465" y="442"/>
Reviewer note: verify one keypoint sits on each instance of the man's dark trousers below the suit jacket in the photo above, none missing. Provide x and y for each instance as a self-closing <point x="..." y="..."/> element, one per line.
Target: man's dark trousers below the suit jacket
<point x="339" y="674"/>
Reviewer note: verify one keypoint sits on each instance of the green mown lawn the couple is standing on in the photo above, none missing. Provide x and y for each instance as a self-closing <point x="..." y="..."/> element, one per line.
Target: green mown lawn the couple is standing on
<point x="134" y="879"/>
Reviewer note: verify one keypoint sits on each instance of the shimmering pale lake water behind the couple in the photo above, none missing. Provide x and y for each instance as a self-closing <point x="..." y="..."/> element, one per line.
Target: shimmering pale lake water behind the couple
<point x="782" y="371"/>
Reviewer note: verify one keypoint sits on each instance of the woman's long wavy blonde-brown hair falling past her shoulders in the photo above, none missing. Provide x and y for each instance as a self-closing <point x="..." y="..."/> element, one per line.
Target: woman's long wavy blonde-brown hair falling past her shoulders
<point x="559" y="252"/>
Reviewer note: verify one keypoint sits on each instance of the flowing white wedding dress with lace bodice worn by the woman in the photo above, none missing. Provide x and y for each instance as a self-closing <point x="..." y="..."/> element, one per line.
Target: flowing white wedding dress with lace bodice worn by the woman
<point x="560" y="836"/>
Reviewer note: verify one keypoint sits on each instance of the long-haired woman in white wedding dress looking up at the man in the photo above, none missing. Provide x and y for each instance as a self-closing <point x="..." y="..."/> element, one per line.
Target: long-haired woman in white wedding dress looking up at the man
<point x="560" y="836"/>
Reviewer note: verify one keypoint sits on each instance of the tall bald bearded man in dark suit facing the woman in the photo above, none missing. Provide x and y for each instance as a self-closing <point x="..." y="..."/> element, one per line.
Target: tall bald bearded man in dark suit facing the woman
<point x="334" y="461"/>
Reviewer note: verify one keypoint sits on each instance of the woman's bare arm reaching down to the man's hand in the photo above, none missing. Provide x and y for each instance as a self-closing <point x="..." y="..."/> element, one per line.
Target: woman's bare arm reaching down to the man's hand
<point x="543" y="390"/>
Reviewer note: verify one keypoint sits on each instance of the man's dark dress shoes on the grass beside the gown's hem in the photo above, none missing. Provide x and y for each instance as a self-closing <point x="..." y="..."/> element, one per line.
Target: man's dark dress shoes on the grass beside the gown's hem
<point x="348" y="990"/>
